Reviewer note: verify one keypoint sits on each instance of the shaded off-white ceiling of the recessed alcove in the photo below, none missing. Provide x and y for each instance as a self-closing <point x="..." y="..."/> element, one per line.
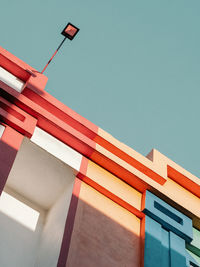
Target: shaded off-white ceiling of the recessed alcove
<point x="38" y="175"/>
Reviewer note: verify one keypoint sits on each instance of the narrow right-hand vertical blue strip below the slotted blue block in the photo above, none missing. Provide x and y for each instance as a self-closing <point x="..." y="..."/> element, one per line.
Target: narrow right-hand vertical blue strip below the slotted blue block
<point x="177" y="251"/>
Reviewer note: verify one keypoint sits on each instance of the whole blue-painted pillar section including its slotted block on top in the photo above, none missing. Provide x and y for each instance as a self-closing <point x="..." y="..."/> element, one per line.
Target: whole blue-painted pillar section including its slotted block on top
<point x="166" y="233"/>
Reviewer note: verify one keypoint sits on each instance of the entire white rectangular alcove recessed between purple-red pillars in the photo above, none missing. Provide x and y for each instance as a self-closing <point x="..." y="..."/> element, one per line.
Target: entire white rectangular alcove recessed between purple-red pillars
<point x="33" y="208"/>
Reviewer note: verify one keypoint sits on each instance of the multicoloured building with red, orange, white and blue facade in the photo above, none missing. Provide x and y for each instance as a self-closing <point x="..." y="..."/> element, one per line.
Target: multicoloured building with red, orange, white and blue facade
<point x="73" y="195"/>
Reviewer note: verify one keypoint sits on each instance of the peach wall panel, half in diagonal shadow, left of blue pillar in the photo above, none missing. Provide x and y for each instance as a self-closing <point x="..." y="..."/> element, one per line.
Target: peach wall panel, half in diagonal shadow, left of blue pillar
<point x="104" y="234"/>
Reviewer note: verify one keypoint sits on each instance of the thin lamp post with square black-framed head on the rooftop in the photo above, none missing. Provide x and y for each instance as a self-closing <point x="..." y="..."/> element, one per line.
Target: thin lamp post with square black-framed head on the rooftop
<point x="69" y="32"/>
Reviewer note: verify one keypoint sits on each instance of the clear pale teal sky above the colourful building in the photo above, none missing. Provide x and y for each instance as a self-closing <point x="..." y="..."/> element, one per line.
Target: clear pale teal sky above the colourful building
<point x="133" y="69"/>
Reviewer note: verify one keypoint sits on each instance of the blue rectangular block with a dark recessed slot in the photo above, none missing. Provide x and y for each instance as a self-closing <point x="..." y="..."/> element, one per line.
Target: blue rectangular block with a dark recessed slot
<point x="168" y="217"/>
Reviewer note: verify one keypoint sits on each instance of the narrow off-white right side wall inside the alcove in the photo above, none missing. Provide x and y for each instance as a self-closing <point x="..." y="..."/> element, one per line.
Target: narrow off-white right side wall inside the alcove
<point x="53" y="230"/>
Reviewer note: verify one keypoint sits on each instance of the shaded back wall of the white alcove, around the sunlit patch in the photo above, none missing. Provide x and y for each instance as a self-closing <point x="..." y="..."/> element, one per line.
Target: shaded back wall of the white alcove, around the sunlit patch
<point x="19" y="244"/>
